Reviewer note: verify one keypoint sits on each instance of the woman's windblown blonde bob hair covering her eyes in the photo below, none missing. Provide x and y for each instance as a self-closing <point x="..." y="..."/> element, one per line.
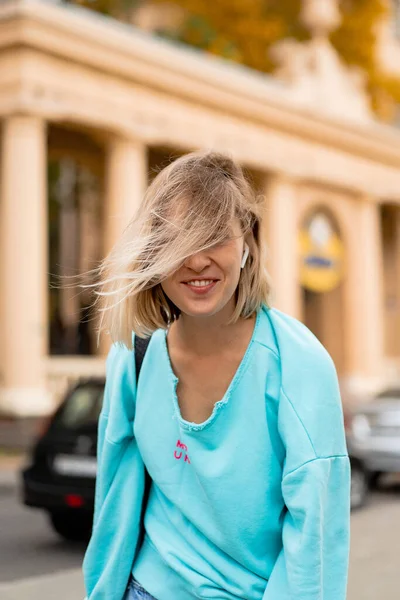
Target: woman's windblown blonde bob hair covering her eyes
<point x="189" y="207"/>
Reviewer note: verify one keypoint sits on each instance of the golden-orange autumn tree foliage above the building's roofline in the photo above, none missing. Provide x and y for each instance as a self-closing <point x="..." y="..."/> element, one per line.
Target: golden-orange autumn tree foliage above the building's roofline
<point x="245" y="30"/>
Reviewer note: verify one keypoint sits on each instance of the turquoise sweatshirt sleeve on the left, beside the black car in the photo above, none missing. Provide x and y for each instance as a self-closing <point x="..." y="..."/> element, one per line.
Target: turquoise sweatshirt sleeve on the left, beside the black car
<point x="110" y="554"/>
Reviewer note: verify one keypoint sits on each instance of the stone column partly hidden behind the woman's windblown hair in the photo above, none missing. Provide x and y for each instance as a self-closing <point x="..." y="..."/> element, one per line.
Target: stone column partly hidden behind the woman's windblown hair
<point x="126" y="182"/>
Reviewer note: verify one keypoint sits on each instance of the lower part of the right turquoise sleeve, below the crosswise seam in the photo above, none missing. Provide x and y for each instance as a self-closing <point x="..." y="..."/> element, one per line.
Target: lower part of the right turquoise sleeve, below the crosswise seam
<point x="313" y="562"/>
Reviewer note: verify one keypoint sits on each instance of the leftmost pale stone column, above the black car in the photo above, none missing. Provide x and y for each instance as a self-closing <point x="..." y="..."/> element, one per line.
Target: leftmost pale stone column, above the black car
<point x="23" y="266"/>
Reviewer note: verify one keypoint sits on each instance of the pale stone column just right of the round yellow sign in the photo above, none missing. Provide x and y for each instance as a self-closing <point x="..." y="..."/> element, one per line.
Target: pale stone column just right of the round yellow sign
<point x="364" y="293"/>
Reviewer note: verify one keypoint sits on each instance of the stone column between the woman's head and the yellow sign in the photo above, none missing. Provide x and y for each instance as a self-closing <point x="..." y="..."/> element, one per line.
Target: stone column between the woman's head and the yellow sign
<point x="281" y="230"/>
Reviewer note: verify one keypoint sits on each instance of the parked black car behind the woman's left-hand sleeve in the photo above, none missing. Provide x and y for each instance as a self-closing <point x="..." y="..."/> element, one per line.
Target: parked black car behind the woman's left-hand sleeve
<point x="61" y="477"/>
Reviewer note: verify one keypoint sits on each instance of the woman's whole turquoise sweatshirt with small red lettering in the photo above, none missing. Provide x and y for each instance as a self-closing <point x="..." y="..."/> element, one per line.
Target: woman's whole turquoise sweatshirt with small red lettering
<point x="252" y="504"/>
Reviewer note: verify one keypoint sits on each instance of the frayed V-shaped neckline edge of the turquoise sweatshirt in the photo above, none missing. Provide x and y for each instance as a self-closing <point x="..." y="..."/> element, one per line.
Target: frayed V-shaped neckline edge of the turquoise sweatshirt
<point x="189" y="425"/>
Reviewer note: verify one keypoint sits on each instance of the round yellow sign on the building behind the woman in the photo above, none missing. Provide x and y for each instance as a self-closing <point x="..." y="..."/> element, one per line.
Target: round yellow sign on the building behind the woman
<point x="321" y="255"/>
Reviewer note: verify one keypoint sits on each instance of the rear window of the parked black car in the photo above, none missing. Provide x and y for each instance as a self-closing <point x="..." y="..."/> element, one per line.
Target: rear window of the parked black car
<point x="82" y="407"/>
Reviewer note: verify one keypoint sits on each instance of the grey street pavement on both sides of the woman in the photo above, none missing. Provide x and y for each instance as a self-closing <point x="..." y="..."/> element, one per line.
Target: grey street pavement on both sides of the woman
<point x="37" y="565"/>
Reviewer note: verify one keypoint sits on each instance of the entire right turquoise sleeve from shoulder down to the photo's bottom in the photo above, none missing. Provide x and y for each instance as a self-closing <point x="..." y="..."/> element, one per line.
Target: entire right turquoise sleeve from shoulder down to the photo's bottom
<point x="313" y="562"/>
